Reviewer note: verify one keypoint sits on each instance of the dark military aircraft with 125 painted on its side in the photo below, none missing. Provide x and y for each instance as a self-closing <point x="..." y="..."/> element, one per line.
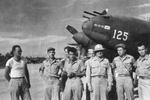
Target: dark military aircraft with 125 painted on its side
<point x="109" y="30"/>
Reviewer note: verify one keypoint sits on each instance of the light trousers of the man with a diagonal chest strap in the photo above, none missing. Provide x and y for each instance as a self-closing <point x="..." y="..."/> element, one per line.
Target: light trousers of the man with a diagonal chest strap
<point x="124" y="84"/>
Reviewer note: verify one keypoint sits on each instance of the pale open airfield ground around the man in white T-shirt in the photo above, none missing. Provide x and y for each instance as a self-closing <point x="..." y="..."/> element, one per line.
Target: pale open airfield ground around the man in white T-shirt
<point x="36" y="90"/>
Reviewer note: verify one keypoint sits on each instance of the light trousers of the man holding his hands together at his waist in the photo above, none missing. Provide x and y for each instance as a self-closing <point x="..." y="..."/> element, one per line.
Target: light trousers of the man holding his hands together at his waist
<point x="73" y="89"/>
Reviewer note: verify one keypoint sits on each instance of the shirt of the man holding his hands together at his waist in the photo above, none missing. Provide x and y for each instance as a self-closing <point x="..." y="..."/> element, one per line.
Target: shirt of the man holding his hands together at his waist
<point x="76" y="66"/>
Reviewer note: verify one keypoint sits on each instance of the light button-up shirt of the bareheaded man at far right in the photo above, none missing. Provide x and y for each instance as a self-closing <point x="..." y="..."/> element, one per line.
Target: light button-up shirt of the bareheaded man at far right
<point x="143" y="66"/>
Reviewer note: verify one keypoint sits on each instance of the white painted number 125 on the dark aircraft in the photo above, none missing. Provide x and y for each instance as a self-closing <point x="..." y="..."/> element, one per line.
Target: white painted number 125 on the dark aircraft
<point x="120" y="35"/>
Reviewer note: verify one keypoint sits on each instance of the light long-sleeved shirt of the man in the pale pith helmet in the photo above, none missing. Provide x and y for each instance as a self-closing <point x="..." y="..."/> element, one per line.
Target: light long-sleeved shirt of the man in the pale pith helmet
<point x="96" y="67"/>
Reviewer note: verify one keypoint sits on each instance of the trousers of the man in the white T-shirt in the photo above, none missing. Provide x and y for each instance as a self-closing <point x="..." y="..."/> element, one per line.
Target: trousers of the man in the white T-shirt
<point x="19" y="88"/>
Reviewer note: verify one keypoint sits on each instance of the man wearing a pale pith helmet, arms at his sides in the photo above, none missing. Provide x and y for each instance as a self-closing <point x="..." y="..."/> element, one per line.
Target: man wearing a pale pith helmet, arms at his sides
<point x="99" y="73"/>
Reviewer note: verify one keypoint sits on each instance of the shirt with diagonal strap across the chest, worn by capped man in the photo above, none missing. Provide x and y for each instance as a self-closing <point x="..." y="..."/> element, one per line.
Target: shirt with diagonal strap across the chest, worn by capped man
<point x="124" y="65"/>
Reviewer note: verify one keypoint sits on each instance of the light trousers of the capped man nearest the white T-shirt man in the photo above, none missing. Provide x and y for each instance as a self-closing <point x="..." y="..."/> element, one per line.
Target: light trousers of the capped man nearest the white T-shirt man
<point x="52" y="89"/>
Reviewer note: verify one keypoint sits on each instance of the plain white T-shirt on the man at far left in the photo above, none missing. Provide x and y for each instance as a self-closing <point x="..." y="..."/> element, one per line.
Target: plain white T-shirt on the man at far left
<point x="17" y="67"/>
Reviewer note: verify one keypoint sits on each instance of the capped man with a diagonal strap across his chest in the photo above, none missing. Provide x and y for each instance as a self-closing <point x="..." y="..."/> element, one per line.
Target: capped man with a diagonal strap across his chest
<point x="123" y="68"/>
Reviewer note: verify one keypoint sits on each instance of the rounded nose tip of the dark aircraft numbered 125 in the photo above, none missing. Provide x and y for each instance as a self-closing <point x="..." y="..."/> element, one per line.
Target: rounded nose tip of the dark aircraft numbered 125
<point x="87" y="27"/>
